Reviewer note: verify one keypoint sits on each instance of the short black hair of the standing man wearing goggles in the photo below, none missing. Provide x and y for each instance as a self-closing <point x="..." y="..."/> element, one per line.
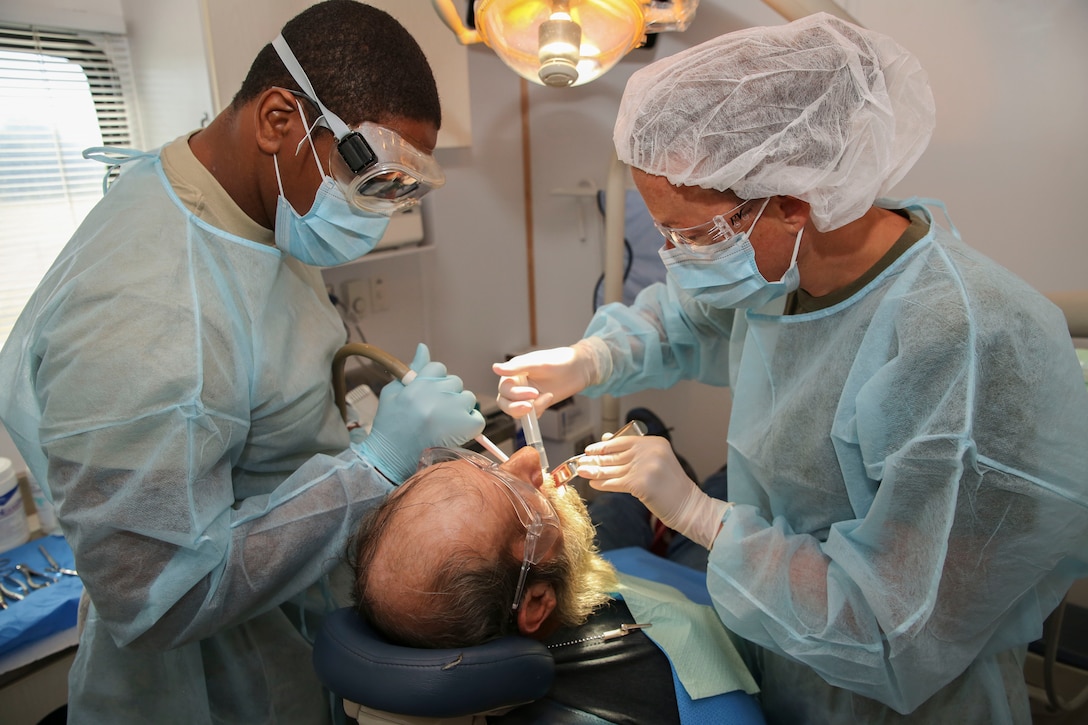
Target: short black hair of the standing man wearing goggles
<point x="363" y="64"/>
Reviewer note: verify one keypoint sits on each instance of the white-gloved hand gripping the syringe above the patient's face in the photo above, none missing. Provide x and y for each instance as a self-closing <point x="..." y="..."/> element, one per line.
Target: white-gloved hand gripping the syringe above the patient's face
<point x="546" y="377"/>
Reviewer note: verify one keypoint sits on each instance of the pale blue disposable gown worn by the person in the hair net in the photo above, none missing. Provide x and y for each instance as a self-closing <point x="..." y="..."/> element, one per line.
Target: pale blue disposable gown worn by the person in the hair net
<point x="910" y="470"/>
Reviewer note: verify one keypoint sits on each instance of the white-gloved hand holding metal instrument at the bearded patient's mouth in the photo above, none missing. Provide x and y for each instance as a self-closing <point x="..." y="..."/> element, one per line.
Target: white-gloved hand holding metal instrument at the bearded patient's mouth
<point x="647" y="469"/>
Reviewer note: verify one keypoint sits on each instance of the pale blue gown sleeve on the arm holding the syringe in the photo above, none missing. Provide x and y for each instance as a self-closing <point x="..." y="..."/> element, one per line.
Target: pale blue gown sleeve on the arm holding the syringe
<point x="664" y="337"/>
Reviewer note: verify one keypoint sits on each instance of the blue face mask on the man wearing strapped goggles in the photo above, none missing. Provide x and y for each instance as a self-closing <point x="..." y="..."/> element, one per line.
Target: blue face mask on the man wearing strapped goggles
<point x="332" y="232"/>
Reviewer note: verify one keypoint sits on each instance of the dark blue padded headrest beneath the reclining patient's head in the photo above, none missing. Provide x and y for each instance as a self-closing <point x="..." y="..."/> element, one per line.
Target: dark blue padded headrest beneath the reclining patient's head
<point x="360" y="666"/>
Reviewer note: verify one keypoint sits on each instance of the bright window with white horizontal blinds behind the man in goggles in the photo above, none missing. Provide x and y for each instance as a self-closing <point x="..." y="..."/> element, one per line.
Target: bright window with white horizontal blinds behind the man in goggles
<point x="60" y="93"/>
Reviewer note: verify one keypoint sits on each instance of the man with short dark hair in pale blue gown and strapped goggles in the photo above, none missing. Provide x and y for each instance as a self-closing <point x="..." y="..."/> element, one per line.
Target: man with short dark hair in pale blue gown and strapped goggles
<point x="170" y="382"/>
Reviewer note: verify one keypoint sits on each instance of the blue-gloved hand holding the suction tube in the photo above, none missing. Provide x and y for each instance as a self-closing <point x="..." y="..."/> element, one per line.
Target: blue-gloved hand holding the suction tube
<point x="434" y="409"/>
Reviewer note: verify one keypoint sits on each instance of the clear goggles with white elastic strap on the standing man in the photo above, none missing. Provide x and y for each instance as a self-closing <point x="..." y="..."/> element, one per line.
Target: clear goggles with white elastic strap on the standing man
<point x="376" y="168"/>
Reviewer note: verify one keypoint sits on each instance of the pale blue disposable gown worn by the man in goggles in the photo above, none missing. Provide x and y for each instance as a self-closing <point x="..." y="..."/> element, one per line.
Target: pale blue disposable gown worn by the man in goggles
<point x="171" y="384"/>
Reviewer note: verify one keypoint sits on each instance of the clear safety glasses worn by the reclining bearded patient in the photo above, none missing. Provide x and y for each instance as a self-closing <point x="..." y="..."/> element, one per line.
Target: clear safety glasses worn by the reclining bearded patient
<point x="534" y="509"/>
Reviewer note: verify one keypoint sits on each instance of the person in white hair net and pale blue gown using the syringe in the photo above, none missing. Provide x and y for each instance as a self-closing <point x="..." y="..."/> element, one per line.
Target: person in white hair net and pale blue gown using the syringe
<point x="908" y="439"/>
